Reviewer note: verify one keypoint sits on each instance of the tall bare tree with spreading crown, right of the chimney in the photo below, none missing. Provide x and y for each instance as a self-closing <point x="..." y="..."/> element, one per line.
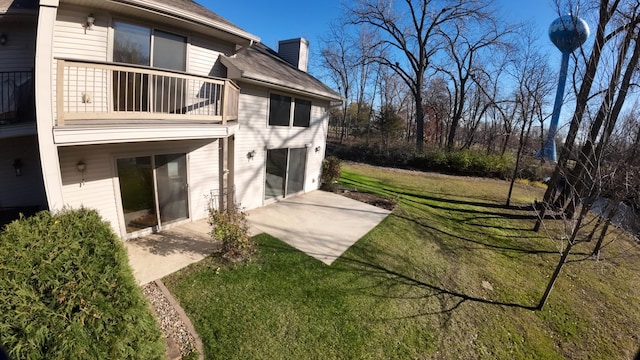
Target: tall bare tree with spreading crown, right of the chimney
<point x="411" y="32"/>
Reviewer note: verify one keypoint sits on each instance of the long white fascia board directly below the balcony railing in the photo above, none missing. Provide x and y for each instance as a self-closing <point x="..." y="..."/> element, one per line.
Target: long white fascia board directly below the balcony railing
<point x="85" y="135"/>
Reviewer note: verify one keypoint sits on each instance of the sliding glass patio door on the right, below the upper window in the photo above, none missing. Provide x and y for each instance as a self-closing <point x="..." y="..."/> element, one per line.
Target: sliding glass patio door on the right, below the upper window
<point x="285" y="170"/>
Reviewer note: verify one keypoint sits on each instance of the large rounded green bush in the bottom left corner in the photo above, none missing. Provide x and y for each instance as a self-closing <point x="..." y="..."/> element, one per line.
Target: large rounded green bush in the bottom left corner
<point x="67" y="292"/>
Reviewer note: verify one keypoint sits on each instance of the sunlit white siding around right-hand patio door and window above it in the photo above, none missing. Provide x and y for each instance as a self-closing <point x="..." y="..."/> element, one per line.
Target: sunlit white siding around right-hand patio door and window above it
<point x="255" y="134"/>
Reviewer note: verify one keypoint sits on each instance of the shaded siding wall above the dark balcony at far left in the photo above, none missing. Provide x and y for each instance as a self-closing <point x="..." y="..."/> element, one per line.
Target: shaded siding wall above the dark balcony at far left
<point x="19" y="51"/>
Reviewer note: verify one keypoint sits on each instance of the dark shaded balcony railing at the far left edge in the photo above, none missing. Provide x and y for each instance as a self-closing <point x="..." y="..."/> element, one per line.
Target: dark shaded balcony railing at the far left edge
<point x="16" y="98"/>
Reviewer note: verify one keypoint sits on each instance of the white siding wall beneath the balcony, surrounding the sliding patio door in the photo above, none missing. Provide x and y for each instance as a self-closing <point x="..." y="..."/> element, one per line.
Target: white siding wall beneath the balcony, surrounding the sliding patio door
<point x="100" y="188"/>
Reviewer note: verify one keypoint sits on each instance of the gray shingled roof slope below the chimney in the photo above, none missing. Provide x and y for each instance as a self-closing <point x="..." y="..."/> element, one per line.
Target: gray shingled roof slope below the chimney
<point x="259" y="63"/>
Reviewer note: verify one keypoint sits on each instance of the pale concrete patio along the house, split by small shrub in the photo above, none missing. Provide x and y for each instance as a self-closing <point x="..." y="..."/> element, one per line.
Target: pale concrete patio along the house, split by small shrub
<point x="321" y="224"/>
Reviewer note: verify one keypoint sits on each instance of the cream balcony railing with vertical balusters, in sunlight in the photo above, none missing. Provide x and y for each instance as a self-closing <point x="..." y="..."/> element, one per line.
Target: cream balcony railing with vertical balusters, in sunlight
<point x="93" y="91"/>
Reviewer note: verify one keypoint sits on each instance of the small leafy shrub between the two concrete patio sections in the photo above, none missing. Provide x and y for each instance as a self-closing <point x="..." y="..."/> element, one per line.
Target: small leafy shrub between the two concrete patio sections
<point x="232" y="229"/>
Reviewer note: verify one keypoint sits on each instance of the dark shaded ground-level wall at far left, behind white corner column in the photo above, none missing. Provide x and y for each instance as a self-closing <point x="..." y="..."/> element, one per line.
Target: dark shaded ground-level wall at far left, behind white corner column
<point x="25" y="190"/>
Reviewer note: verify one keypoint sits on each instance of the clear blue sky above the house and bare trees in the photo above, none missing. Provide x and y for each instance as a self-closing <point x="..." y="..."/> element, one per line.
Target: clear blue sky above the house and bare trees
<point x="286" y="19"/>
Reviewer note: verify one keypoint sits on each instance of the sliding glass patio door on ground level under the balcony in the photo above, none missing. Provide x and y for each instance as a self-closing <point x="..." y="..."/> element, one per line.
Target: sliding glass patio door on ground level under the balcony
<point x="153" y="190"/>
